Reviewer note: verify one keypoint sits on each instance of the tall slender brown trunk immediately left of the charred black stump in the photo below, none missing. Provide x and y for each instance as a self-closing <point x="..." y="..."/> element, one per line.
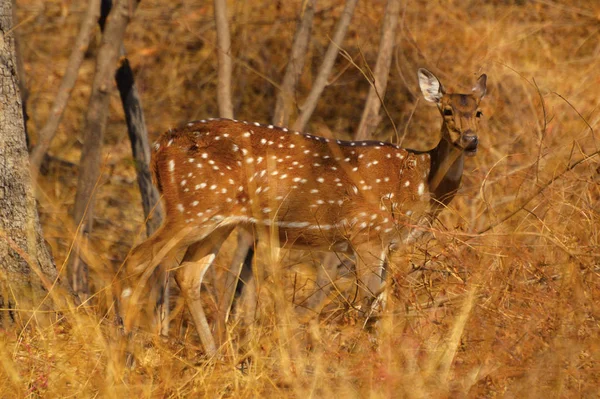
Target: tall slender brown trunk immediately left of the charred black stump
<point x="91" y="153"/>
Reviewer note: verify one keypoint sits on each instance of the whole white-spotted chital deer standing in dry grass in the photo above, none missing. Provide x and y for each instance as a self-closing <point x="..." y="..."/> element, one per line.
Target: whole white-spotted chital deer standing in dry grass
<point x="366" y="197"/>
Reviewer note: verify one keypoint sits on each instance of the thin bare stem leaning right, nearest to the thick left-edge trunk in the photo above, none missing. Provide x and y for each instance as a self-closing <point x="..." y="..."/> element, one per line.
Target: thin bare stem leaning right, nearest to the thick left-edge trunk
<point x="48" y="132"/>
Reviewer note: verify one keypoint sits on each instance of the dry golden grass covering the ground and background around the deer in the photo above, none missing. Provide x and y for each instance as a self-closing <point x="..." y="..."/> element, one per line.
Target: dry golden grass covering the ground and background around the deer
<point x="490" y="308"/>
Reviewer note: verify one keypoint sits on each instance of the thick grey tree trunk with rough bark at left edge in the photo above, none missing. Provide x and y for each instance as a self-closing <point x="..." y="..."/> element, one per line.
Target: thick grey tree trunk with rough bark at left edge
<point x="27" y="270"/>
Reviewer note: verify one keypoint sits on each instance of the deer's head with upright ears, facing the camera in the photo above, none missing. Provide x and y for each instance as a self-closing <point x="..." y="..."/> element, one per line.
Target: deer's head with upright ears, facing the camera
<point x="461" y="112"/>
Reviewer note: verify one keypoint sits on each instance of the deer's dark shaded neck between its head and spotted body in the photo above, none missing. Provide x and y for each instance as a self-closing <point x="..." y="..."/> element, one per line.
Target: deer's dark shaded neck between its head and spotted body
<point x="446" y="171"/>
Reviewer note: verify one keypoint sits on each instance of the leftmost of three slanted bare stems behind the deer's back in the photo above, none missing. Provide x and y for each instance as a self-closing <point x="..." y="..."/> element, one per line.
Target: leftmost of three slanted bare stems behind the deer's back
<point x="293" y="71"/>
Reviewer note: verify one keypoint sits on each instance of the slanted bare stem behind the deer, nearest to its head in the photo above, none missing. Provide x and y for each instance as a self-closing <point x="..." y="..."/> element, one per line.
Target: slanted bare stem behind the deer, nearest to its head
<point x="370" y="117"/>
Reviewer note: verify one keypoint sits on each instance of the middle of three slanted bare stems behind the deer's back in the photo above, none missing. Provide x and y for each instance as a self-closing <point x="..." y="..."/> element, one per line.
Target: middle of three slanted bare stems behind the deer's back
<point x="325" y="70"/>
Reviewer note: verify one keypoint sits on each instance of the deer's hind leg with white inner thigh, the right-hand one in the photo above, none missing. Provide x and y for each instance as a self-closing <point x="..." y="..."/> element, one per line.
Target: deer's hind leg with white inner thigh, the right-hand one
<point x="189" y="275"/>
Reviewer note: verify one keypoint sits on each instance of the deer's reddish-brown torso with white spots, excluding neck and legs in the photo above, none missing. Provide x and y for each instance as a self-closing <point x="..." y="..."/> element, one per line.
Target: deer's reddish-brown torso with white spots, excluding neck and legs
<point x="314" y="191"/>
